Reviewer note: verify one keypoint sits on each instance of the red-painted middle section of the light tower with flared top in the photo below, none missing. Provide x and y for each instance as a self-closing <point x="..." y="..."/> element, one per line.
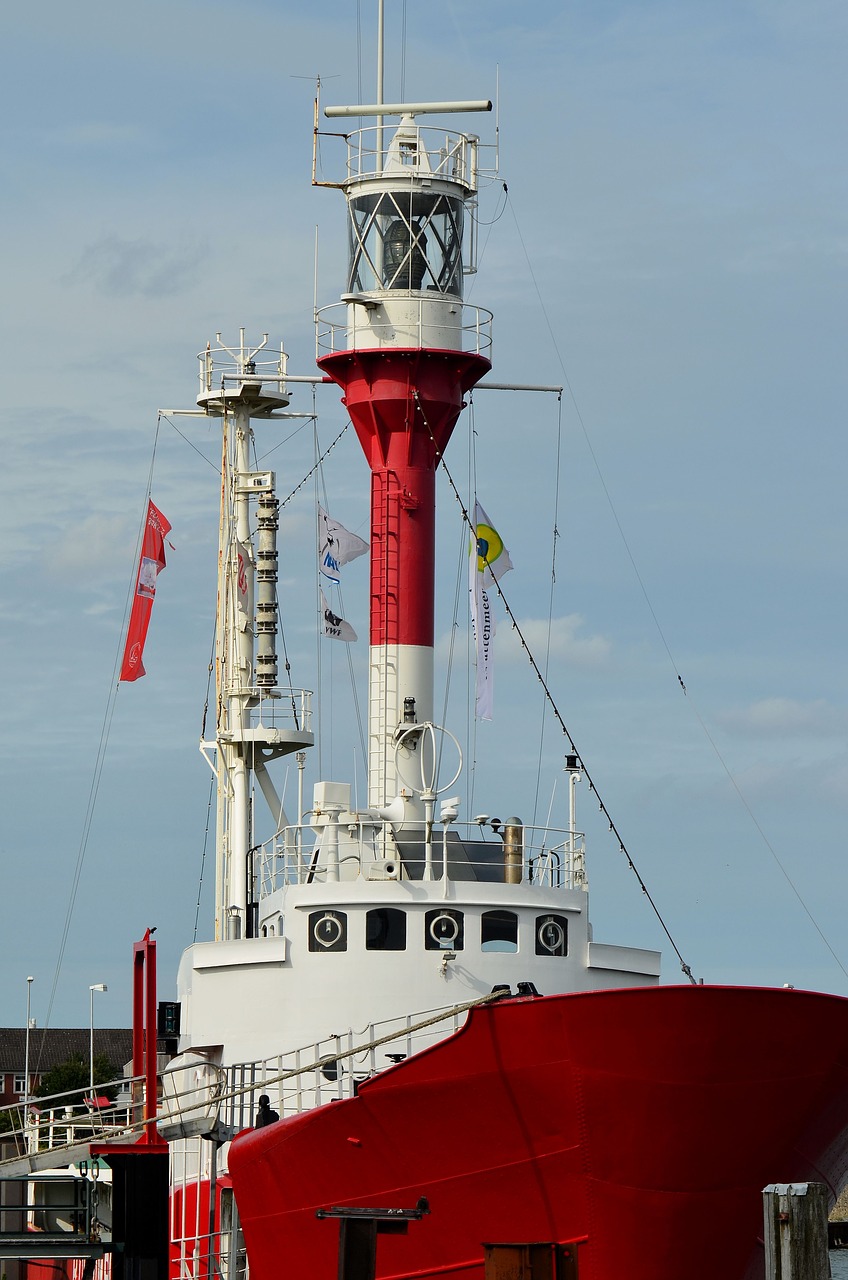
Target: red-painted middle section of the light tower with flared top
<point x="404" y="406"/>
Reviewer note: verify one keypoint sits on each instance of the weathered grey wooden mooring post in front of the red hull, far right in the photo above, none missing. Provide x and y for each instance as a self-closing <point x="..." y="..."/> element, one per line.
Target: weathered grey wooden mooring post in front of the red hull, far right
<point x="796" y="1232"/>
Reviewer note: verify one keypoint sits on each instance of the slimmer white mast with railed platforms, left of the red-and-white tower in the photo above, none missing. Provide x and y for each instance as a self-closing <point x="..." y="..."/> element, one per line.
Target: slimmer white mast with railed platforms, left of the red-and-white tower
<point x="257" y="721"/>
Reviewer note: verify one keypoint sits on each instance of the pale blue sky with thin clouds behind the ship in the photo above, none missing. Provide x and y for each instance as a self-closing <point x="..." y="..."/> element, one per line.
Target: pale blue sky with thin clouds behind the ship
<point x="667" y="239"/>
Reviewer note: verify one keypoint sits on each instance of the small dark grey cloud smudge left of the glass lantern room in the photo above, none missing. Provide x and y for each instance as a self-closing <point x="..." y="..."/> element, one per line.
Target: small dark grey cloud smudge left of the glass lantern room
<point x="131" y="268"/>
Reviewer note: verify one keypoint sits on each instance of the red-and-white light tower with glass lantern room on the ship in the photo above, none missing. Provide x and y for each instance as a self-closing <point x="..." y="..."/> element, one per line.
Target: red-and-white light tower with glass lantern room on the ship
<point x="404" y="351"/>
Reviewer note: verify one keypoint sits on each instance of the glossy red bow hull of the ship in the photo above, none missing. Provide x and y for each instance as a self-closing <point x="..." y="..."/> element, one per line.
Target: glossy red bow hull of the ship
<point x="648" y="1121"/>
